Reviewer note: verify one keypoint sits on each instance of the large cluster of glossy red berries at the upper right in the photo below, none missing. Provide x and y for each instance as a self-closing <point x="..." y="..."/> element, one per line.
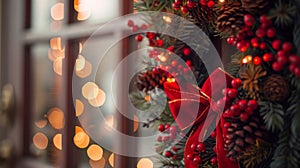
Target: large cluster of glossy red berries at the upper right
<point x="266" y="45"/>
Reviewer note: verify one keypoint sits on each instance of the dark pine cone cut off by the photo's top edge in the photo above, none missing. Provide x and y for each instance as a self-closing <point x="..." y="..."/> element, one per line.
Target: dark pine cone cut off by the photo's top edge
<point x="257" y="6"/>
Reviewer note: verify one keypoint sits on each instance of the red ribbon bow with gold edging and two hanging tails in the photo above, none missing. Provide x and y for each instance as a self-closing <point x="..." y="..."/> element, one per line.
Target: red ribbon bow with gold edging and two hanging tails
<point x="190" y="105"/>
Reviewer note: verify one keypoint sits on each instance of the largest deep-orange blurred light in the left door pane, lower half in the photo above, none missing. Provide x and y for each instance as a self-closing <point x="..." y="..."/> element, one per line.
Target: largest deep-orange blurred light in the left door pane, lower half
<point x="56" y="118"/>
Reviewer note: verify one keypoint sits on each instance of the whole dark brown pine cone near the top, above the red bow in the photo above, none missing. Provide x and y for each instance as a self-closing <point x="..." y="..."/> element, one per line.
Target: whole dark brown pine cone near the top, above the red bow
<point x="230" y="19"/>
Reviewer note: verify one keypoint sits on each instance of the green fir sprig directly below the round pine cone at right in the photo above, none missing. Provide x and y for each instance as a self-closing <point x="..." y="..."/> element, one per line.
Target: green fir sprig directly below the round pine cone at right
<point x="273" y="115"/>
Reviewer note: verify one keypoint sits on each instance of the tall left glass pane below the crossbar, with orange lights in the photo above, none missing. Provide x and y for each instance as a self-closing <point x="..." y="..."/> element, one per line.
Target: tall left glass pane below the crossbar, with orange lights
<point x="48" y="119"/>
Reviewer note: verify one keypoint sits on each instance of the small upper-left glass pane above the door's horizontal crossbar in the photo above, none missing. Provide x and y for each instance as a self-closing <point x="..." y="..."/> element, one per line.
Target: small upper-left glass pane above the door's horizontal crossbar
<point x="47" y="14"/>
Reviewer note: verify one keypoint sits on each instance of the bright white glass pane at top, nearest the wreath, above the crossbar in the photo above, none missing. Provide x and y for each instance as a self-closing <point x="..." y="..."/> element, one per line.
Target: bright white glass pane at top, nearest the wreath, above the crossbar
<point x="97" y="10"/>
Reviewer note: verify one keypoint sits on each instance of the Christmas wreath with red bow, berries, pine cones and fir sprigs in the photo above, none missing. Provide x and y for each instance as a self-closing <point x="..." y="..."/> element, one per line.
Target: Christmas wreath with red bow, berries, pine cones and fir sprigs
<point x="259" y="125"/>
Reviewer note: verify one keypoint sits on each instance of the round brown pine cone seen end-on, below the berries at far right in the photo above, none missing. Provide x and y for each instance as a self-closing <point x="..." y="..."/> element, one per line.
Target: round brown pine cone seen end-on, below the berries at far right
<point x="275" y="88"/>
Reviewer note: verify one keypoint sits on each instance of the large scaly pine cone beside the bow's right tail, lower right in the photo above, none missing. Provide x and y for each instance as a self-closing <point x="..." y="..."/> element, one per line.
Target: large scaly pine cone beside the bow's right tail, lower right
<point x="241" y="135"/>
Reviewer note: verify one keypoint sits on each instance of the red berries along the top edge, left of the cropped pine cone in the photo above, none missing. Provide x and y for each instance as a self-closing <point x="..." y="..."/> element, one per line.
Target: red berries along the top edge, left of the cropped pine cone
<point x="185" y="6"/>
